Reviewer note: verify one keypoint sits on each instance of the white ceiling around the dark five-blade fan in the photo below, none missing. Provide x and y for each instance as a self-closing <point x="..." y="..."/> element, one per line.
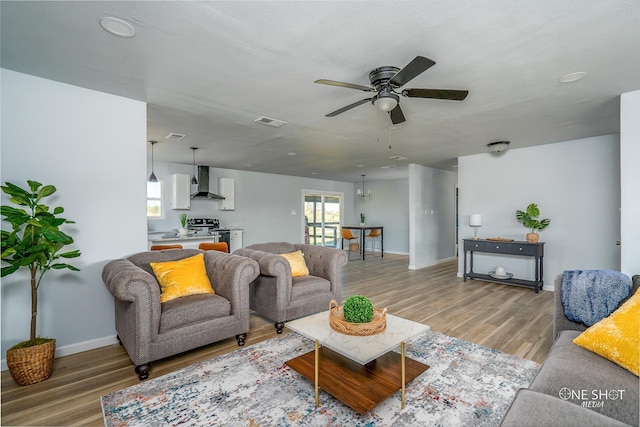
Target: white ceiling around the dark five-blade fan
<point x="209" y="69"/>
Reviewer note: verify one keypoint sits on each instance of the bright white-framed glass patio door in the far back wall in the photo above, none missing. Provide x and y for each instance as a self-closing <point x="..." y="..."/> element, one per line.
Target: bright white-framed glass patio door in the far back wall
<point x="322" y="218"/>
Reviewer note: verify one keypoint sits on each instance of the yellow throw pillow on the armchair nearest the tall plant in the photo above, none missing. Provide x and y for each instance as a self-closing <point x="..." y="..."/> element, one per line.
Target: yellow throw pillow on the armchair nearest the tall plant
<point x="187" y="276"/>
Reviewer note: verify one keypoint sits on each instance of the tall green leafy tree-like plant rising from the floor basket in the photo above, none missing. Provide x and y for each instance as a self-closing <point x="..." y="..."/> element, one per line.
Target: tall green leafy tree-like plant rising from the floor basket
<point x="35" y="241"/>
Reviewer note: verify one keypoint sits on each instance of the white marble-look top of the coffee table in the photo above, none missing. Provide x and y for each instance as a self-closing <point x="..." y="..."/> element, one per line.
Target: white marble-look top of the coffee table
<point x="357" y="348"/>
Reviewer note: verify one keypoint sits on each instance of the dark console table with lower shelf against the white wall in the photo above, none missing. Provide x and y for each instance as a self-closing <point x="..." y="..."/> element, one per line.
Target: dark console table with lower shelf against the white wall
<point x="535" y="250"/>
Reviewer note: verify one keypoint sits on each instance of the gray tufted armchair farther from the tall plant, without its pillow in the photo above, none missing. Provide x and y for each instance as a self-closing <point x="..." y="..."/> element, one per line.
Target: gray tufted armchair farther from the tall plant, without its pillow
<point x="279" y="297"/>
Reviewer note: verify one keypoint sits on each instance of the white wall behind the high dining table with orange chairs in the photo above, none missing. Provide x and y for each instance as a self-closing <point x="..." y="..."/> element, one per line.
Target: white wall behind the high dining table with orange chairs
<point x="388" y="207"/>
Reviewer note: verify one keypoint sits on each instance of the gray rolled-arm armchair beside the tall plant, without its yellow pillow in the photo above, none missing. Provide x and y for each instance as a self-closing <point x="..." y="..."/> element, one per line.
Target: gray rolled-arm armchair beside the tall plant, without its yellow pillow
<point x="151" y="331"/>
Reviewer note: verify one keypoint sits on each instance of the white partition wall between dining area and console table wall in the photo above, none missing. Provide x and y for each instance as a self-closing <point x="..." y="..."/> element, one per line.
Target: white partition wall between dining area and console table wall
<point x="431" y="216"/>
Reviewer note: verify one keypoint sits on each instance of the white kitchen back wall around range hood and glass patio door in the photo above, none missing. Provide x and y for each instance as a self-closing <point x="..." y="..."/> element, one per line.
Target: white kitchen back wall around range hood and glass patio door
<point x="264" y="203"/>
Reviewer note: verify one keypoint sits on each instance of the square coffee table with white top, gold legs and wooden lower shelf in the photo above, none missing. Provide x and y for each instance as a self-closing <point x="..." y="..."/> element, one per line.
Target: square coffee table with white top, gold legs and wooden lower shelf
<point x="360" y="371"/>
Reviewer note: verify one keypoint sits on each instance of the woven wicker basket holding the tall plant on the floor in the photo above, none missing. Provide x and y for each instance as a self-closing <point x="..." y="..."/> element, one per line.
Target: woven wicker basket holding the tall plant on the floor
<point x="31" y="365"/>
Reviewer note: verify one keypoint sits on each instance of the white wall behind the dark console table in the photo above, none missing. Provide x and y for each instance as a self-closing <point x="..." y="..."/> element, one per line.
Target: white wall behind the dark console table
<point x="575" y="183"/>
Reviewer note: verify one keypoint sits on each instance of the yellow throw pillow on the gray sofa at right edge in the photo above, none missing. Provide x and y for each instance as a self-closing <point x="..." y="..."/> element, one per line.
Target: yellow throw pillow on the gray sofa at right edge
<point x="617" y="337"/>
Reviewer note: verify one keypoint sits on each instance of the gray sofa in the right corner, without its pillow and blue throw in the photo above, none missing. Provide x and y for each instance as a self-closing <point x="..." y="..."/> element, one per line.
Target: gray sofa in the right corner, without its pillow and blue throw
<point x="574" y="386"/>
